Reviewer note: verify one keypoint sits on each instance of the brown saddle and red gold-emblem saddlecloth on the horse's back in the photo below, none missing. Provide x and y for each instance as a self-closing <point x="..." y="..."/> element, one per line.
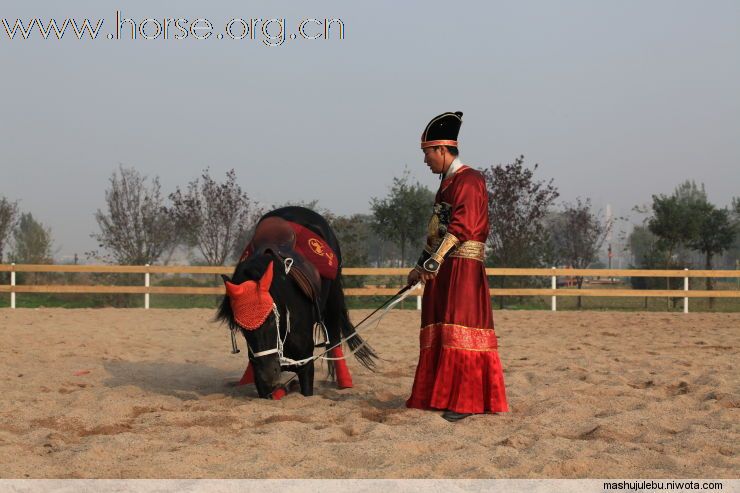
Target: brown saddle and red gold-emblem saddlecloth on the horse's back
<point x="312" y="256"/>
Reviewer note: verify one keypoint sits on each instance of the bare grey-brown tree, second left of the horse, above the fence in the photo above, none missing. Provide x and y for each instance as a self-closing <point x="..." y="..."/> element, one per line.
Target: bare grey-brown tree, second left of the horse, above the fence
<point x="136" y="228"/>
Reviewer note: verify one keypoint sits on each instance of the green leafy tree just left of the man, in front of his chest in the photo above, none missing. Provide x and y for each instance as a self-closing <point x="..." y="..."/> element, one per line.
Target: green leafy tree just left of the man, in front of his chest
<point x="403" y="214"/>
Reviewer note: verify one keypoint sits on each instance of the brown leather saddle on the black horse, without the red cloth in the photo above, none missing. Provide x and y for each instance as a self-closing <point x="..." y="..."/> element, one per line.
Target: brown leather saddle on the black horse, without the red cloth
<point x="275" y="234"/>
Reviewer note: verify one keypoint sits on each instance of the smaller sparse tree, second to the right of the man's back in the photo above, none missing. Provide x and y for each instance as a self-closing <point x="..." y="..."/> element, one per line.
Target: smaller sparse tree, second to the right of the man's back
<point x="577" y="234"/>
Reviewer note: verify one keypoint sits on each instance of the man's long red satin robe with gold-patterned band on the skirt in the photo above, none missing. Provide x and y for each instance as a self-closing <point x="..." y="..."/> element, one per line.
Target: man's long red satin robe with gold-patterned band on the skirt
<point x="459" y="367"/>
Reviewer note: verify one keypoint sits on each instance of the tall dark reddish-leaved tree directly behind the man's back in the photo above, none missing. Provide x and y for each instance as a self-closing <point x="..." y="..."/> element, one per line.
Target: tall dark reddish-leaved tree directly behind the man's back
<point x="517" y="206"/>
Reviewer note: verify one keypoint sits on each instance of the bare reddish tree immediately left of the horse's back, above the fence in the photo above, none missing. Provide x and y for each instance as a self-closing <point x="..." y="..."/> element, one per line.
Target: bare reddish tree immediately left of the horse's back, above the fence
<point x="214" y="217"/>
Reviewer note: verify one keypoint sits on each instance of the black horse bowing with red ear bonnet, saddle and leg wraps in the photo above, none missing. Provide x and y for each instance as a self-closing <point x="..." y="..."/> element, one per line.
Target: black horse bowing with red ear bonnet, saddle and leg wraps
<point x="285" y="296"/>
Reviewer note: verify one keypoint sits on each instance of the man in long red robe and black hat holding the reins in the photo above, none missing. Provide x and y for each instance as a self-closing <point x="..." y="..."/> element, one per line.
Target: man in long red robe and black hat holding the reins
<point x="459" y="369"/>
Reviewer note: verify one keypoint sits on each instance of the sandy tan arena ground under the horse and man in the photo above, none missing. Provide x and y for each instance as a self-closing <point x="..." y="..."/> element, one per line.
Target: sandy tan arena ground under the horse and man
<point x="134" y="394"/>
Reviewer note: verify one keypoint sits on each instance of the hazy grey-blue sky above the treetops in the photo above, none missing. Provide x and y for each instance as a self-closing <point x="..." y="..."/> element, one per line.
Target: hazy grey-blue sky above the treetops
<point x="615" y="100"/>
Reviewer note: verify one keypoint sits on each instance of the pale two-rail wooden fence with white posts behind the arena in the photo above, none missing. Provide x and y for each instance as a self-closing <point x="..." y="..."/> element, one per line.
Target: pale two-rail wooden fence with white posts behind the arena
<point x="146" y="289"/>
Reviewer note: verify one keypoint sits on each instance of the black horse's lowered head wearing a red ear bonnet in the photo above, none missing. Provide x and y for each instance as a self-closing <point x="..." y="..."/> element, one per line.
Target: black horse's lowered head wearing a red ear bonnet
<point x="250" y="307"/>
